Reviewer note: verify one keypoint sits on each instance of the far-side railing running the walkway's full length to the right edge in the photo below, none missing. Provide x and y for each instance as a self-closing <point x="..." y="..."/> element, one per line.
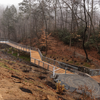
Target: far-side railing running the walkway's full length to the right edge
<point x="91" y="72"/>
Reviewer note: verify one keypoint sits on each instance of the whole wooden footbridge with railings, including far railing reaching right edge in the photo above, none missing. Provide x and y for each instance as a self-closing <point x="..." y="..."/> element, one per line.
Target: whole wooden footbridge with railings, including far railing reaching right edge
<point x="55" y="66"/>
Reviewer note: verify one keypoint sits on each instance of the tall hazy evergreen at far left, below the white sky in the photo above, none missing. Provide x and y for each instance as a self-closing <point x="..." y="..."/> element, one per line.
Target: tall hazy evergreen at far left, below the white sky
<point x="9" y="21"/>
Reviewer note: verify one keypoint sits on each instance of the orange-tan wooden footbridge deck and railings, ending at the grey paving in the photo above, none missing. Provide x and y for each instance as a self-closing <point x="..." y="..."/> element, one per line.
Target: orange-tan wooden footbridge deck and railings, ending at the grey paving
<point x="35" y="56"/>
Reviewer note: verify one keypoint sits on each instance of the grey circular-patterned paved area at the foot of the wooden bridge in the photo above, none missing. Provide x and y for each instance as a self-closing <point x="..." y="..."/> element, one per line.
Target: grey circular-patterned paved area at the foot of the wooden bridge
<point x="74" y="81"/>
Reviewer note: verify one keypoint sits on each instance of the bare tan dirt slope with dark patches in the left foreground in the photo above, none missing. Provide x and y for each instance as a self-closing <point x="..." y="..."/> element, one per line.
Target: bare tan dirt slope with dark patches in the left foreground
<point x="20" y="81"/>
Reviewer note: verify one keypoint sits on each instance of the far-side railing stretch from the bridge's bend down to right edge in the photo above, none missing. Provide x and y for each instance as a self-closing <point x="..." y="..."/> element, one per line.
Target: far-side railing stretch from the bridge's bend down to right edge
<point x="92" y="72"/>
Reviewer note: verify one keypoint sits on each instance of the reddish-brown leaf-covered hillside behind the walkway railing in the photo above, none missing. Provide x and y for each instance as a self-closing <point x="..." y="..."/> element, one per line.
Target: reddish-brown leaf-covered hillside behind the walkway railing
<point x="61" y="52"/>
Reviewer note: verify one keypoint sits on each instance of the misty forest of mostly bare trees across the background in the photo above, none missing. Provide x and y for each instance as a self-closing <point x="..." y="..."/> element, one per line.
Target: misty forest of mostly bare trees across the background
<point x="72" y="21"/>
